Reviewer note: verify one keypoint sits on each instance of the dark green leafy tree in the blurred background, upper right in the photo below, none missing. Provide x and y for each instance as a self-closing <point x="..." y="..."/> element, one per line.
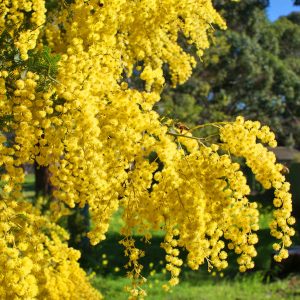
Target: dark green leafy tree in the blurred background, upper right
<point x="252" y="69"/>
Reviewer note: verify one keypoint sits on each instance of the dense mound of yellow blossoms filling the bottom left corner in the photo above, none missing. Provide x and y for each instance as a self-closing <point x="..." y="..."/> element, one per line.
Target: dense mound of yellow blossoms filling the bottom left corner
<point x="35" y="260"/>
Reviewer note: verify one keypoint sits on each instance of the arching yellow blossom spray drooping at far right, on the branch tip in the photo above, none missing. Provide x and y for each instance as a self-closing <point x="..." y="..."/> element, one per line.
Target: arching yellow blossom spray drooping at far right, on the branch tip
<point x="241" y="139"/>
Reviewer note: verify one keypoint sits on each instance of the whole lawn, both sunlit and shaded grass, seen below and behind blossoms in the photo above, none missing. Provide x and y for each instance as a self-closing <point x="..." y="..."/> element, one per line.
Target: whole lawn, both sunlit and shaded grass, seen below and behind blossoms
<point x="107" y="260"/>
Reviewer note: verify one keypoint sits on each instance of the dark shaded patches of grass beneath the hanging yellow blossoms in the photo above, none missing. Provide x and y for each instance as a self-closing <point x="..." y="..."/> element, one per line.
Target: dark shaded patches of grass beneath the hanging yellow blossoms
<point x="108" y="258"/>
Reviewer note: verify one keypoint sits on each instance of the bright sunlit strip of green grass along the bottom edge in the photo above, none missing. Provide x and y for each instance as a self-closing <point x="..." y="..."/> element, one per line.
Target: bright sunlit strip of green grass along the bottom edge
<point x="240" y="288"/>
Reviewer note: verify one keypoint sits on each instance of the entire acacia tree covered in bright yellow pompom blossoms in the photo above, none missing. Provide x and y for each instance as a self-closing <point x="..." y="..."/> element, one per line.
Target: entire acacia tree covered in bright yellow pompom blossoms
<point x="81" y="118"/>
